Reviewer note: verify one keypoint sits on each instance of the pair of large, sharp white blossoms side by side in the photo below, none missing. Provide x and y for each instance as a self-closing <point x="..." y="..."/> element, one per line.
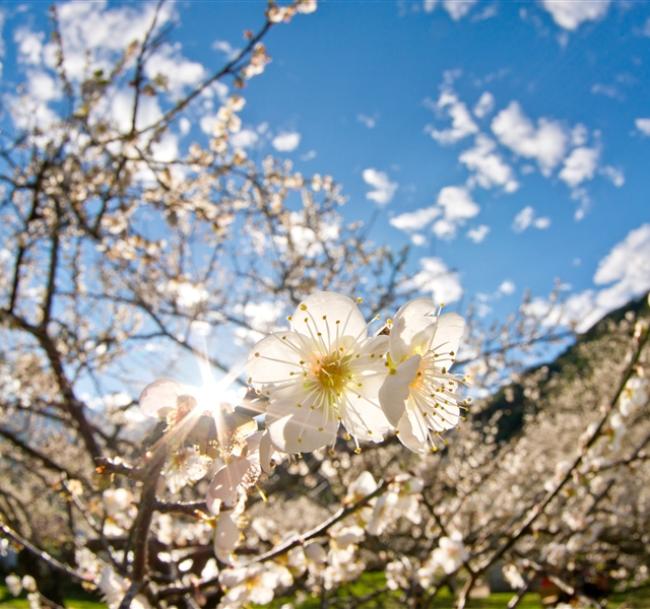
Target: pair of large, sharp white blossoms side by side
<point x="326" y="370"/>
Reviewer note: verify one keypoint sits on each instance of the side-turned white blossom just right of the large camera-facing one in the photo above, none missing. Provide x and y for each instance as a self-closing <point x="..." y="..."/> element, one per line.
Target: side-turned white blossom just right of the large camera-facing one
<point x="419" y="395"/>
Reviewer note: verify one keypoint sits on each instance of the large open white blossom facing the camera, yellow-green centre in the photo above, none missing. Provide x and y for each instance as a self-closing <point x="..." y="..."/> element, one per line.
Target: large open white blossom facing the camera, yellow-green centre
<point x="324" y="371"/>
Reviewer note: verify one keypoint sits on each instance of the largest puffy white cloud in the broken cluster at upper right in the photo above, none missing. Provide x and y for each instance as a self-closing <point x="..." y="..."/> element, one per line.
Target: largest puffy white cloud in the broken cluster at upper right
<point x="546" y="142"/>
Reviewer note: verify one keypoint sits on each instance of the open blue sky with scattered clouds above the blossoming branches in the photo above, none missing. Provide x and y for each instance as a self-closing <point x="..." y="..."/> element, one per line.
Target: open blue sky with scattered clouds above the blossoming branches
<point x="520" y="131"/>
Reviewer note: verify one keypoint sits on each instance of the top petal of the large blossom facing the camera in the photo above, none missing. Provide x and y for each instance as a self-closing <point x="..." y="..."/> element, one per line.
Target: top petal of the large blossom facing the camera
<point x="321" y="311"/>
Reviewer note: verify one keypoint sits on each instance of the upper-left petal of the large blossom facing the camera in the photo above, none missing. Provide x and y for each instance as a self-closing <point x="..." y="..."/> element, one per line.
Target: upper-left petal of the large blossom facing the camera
<point x="275" y="359"/>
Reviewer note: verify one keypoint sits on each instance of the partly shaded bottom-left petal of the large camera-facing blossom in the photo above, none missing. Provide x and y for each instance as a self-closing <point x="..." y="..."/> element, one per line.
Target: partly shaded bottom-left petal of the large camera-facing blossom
<point x="305" y="430"/>
